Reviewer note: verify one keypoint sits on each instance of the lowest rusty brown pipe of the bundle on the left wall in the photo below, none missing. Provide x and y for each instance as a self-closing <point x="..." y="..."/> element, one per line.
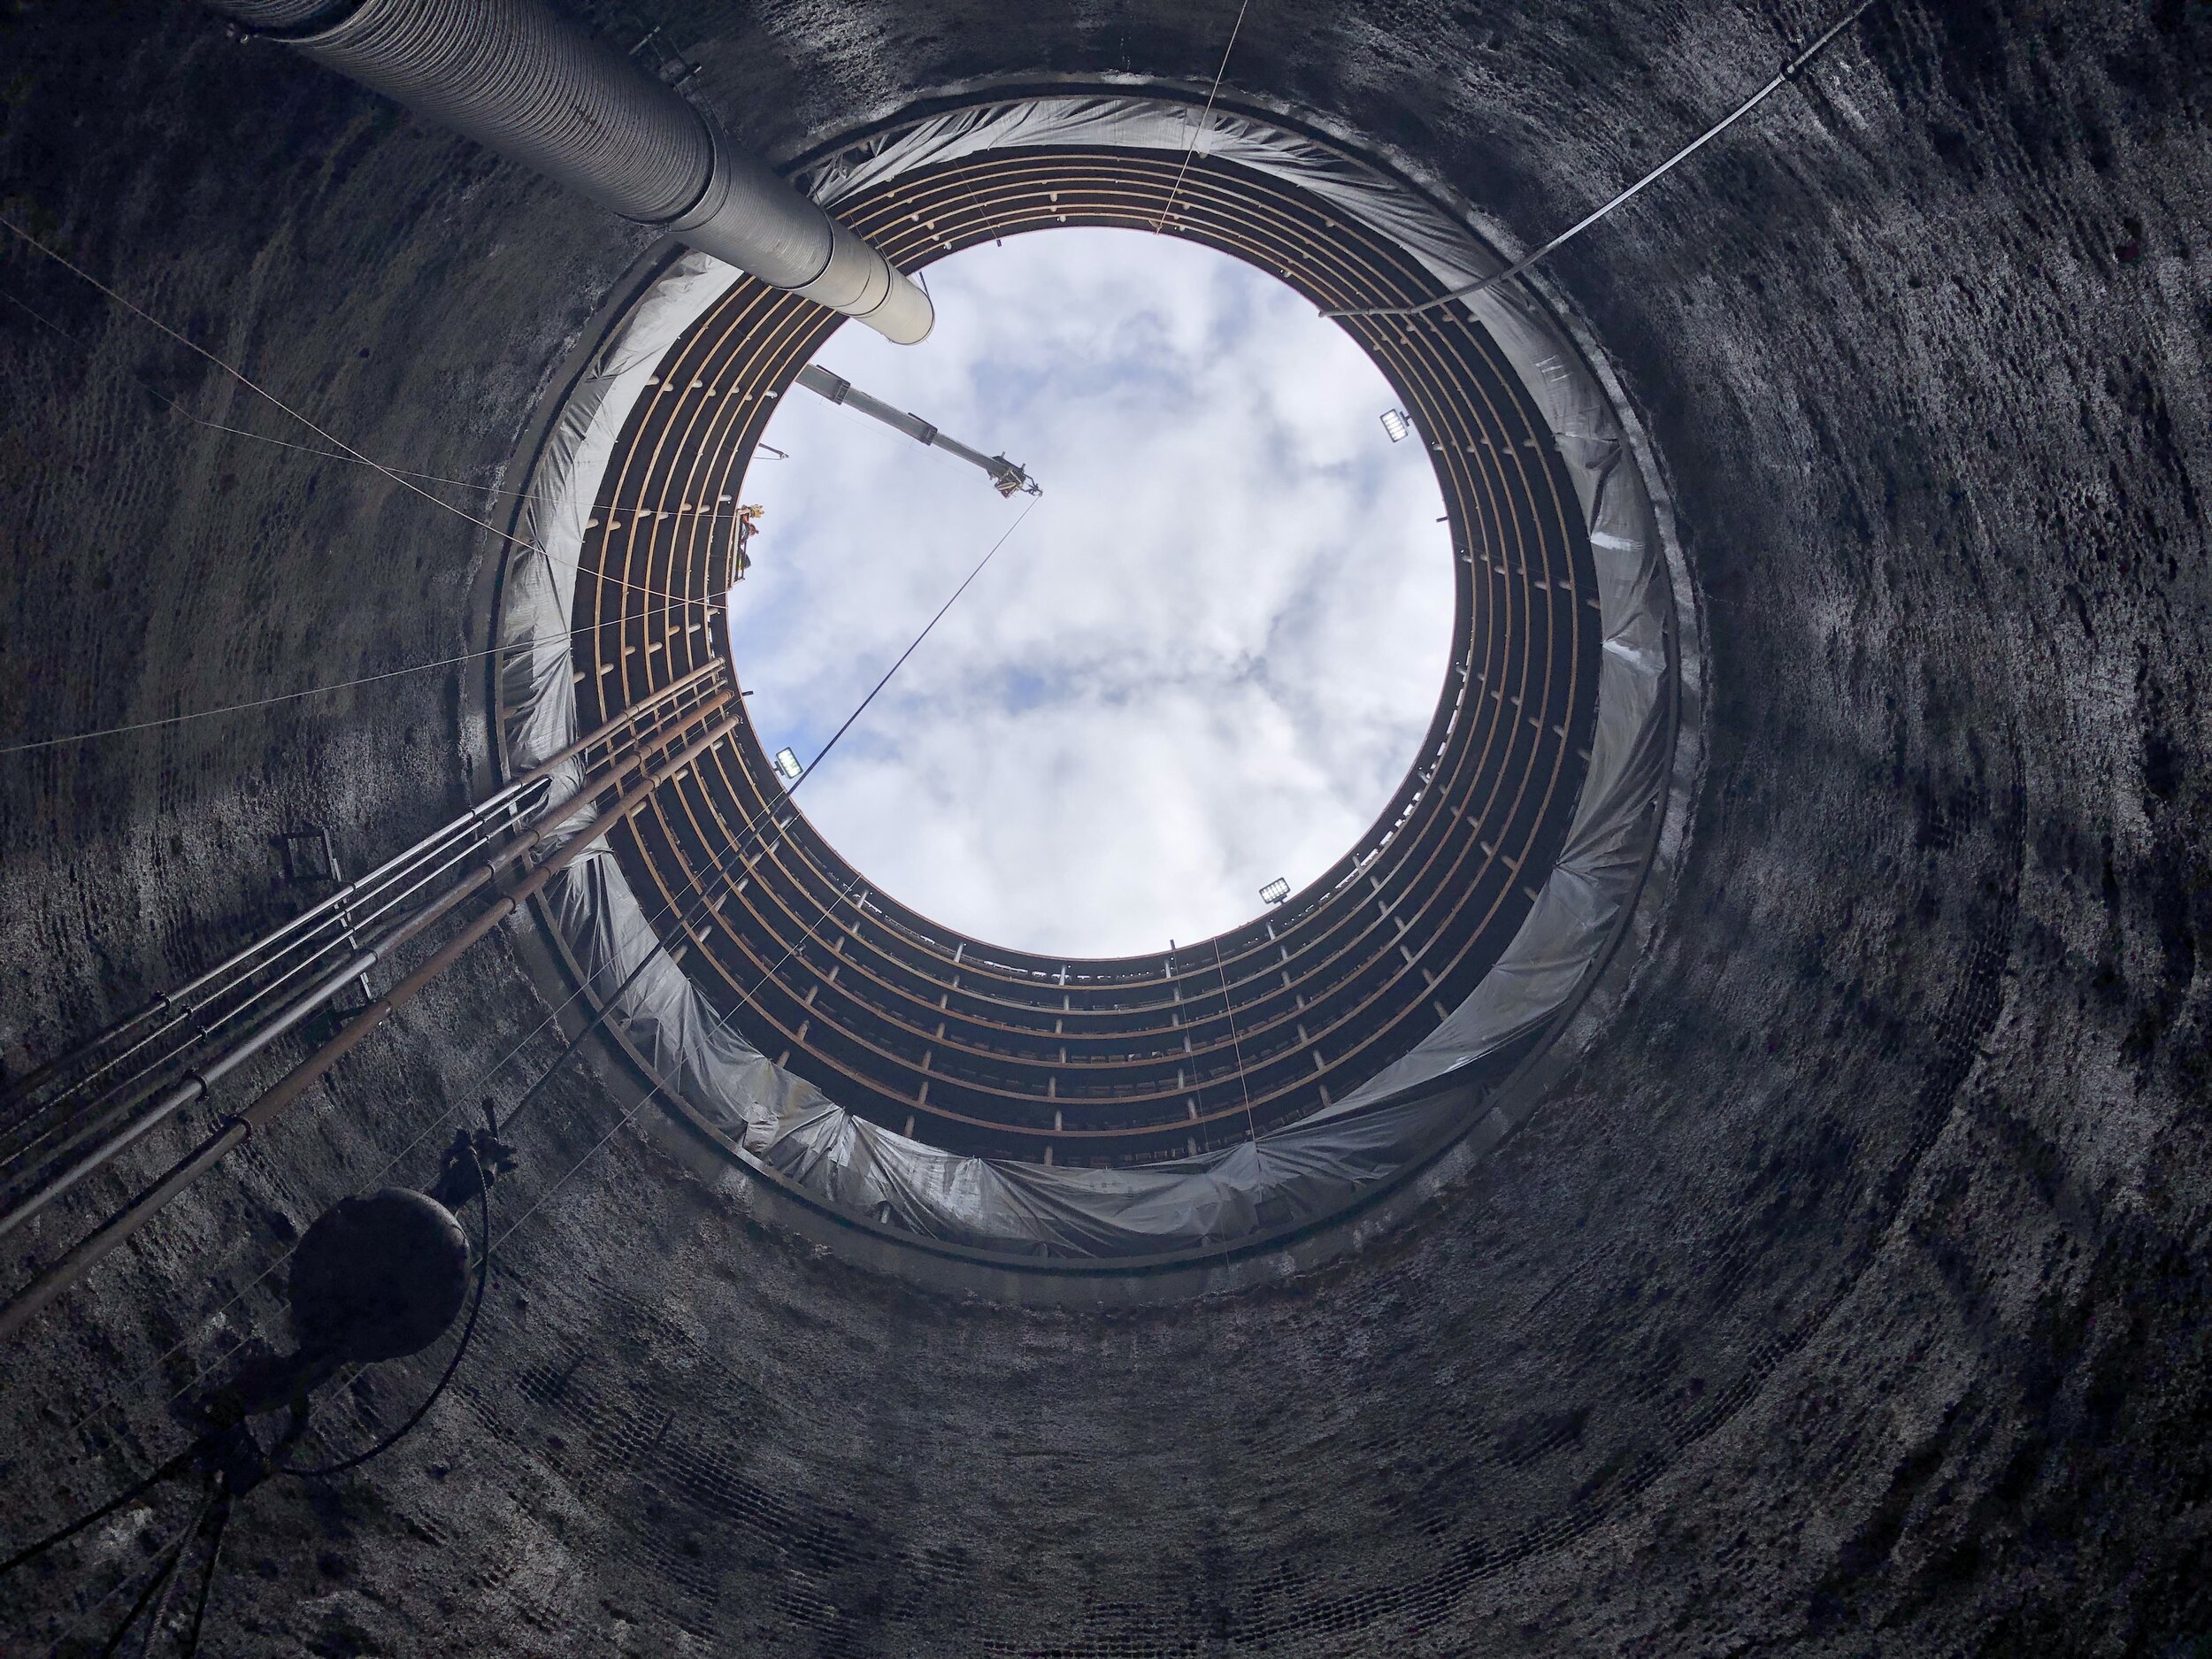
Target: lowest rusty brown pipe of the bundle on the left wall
<point x="271" y="1105"/>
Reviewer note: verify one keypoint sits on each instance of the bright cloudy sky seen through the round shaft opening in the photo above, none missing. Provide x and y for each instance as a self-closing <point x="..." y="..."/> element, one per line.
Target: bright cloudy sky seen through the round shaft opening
<point x="1204" y="658"/>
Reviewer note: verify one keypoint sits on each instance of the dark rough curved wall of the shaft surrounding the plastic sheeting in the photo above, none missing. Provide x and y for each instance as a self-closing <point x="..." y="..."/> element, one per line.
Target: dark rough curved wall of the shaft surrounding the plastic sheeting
<point x="1850" y="1297"/>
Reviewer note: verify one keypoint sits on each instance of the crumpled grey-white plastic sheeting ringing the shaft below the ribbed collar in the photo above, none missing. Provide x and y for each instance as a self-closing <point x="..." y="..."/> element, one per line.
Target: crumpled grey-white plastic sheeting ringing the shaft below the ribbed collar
<point x="1293" y="1176"/>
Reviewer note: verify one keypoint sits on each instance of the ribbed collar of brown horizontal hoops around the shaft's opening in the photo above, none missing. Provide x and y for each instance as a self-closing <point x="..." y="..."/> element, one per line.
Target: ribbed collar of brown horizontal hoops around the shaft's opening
<point x="1107" y="1063"/>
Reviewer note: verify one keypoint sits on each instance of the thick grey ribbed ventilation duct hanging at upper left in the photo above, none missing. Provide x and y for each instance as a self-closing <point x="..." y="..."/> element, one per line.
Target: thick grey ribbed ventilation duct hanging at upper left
<point x="556" y="98"/>
